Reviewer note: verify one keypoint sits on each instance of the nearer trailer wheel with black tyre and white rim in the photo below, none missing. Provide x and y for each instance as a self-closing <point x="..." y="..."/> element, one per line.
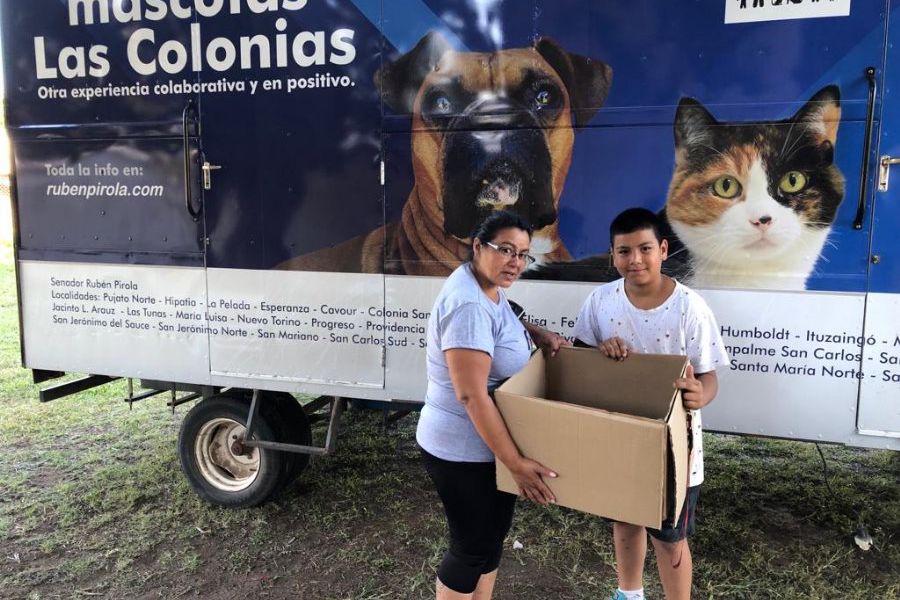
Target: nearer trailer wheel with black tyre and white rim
<point x="218" y="467"/>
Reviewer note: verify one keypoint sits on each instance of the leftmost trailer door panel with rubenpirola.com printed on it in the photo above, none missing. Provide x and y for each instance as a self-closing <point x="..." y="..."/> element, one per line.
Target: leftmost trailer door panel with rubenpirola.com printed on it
<point x="110" y="258"/>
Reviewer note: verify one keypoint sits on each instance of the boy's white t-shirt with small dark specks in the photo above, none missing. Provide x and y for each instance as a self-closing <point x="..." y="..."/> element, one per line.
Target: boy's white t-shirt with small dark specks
<point x="683" y="324"/>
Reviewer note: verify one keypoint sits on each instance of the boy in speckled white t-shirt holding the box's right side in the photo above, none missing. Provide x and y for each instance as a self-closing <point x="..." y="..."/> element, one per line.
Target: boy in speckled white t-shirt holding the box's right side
<point x="646" y="311"/>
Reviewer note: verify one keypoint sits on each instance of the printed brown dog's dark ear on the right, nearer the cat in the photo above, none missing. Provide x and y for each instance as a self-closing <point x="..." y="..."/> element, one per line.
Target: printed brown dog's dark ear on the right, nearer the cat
<point x="586" y="79"/>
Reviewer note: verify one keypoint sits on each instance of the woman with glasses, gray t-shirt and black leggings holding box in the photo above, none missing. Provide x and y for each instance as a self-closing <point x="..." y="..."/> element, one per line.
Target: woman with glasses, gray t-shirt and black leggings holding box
<point x="475" y="341"/>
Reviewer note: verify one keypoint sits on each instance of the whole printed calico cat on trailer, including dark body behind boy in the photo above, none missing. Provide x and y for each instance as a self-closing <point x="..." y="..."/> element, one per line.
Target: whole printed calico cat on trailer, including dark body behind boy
<point x="749" y="204"/>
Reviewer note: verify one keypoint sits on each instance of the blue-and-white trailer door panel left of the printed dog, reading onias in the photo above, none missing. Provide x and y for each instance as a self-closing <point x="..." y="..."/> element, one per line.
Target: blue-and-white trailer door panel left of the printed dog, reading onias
<point x="291" y="166"/>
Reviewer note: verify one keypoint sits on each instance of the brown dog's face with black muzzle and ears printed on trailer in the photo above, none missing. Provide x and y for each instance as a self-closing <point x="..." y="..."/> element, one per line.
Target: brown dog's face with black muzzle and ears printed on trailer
<point x="494" y="130"/>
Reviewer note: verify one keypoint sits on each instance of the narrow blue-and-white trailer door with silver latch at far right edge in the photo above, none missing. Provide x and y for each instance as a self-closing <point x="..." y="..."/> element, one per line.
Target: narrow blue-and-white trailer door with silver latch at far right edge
<point x="879" y="398"/>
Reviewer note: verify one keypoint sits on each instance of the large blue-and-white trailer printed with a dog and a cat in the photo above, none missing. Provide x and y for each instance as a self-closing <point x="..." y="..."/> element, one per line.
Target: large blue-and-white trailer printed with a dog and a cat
<point x="237" y="201"/>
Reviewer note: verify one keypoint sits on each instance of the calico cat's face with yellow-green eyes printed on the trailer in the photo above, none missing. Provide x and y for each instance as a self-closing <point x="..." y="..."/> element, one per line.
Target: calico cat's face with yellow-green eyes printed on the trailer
<point x="756" y="193"/>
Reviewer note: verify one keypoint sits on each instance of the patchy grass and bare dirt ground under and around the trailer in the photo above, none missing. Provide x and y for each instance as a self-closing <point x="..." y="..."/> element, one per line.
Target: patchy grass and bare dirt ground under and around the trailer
<point x="93" y="505"/>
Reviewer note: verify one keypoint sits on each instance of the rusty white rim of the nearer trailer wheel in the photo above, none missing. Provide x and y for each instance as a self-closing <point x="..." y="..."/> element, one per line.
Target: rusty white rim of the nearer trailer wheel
<point x="218" y="463"/>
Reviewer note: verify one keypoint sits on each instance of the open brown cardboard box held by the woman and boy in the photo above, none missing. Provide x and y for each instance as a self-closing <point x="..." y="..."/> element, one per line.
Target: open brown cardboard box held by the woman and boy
<point x="615" y="432"/>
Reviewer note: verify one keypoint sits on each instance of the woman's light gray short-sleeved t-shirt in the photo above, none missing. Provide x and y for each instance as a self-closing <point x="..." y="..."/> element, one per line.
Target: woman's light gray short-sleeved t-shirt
<point x="464" y="317"/>
